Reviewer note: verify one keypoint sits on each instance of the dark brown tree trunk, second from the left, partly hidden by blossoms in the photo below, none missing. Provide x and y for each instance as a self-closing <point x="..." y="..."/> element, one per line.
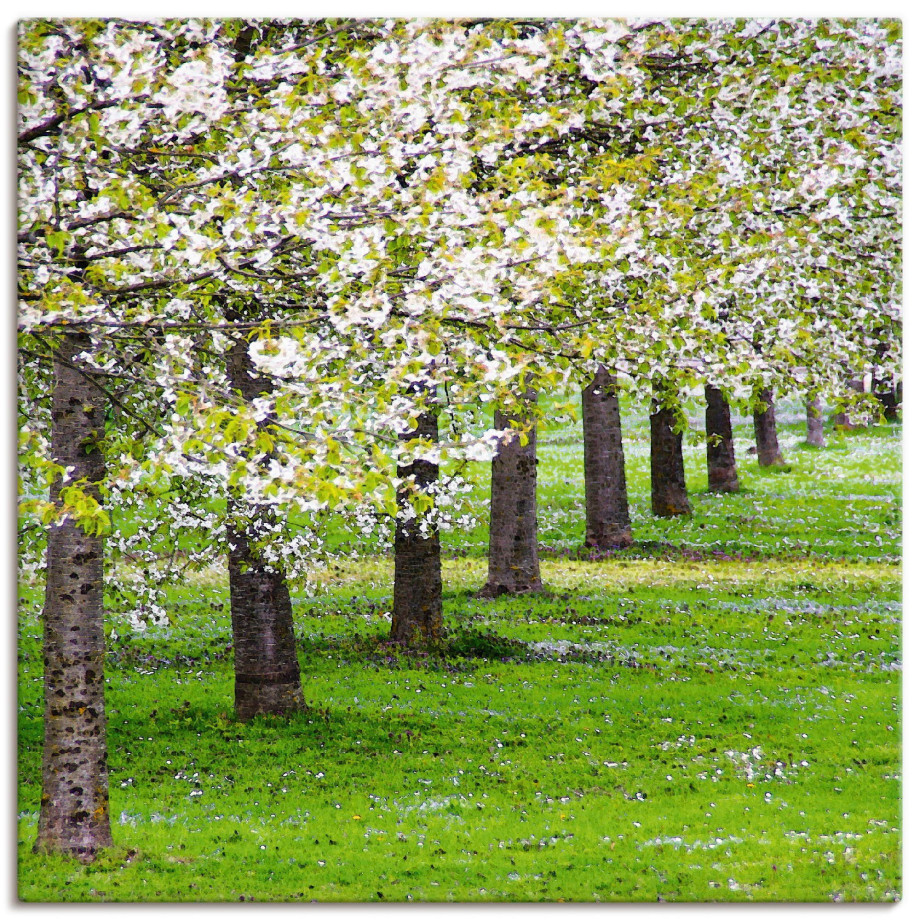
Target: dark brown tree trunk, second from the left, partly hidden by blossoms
<point x="266" y="669"/>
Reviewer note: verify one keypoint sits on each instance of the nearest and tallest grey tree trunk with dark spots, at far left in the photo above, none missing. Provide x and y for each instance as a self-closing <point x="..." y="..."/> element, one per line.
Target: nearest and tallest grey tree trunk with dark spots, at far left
<point x="74" y="814"/>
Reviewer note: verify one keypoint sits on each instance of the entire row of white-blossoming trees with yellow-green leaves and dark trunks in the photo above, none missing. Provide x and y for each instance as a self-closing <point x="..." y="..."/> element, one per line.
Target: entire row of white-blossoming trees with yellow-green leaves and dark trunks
<point x="260" y="261"/>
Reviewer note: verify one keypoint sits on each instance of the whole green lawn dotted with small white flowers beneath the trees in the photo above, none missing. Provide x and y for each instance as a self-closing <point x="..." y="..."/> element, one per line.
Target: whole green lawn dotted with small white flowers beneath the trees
<point x="714" y="714"/>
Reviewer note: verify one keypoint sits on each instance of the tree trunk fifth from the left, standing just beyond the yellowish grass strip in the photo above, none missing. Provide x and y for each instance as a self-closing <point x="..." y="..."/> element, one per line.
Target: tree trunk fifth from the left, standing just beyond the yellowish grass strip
<point x="606" y="504"/>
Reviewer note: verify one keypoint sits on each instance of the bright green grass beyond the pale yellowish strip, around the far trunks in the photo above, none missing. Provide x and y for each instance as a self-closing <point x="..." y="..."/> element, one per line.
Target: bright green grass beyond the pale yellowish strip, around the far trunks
<point x="840" y="501"/>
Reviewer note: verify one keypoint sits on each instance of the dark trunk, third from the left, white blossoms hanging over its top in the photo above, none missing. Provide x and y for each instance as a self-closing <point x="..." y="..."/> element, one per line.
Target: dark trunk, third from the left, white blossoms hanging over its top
<point x="417" y="610"/>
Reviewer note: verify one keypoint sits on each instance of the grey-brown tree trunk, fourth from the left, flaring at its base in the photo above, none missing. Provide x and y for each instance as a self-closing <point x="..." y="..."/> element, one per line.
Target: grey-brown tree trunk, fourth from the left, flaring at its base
<point x="514" y="567"/>
